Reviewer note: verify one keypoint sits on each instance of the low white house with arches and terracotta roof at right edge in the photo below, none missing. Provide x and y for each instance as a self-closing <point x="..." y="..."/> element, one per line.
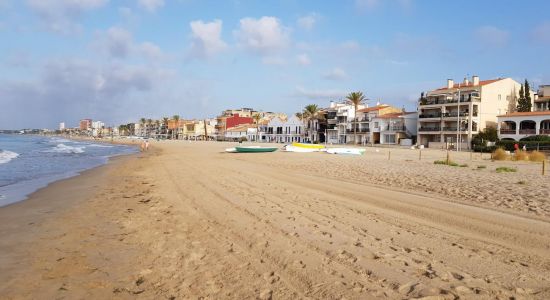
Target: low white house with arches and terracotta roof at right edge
<point x="518" y="125"/>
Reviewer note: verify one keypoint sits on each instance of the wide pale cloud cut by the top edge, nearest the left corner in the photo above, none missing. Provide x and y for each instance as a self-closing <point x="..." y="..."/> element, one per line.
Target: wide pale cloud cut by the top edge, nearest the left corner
<point x="60" y="15"/>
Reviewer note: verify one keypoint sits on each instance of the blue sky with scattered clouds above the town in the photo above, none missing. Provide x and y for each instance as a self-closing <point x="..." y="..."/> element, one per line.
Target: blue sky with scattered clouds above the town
<point x="120" y="60"/>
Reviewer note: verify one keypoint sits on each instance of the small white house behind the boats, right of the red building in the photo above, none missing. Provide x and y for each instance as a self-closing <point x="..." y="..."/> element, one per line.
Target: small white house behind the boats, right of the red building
<point x="280" y="131"/>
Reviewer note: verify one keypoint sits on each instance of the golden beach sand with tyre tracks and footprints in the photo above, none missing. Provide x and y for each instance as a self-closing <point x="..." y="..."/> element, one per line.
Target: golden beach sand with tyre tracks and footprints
<point x="186" y="220"/>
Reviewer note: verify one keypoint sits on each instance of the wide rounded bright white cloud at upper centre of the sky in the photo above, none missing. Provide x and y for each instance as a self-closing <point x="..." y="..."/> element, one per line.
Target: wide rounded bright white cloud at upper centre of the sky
<point x="265" y="35"/>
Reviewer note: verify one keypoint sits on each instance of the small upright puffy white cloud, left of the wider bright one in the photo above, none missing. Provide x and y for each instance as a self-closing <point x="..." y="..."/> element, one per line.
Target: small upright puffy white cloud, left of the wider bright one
<point x="206" y="39"/>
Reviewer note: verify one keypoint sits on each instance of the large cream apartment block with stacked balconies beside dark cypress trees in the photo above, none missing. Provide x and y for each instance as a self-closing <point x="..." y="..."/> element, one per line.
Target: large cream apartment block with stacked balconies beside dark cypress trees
<point x="451" y="115"/>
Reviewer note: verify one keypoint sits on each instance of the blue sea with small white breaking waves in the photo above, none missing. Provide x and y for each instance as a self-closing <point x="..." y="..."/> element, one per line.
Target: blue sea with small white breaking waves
<point x="28" y="163"/>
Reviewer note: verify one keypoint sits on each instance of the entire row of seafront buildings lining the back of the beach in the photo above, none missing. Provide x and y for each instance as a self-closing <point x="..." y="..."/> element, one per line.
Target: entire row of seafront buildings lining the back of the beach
<point x="446" y="117"/>
